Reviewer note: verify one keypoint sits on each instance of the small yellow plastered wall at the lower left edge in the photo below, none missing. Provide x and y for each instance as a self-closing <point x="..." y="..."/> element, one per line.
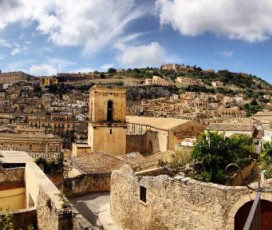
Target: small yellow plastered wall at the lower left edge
<point x="12" y="199"/>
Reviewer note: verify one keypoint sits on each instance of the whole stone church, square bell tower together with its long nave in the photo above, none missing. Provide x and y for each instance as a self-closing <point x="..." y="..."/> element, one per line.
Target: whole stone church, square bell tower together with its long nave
<point x="112" y="132"/>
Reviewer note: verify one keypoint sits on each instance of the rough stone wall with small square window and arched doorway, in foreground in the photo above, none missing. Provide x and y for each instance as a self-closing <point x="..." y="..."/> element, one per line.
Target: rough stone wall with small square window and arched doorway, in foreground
<point x="174" y="203"/>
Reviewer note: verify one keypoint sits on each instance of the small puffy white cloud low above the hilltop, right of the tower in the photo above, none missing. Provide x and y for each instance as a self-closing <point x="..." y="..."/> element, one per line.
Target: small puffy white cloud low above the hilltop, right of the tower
<point x="142" y="56"/>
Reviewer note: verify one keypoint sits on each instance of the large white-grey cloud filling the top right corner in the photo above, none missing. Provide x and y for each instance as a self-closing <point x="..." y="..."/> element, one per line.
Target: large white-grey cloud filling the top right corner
<point x="247" y="20"/>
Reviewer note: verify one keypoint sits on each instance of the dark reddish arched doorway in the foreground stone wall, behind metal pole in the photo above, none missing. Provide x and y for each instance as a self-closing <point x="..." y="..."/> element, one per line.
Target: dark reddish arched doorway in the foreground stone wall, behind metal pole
<point x="265" y="218"/>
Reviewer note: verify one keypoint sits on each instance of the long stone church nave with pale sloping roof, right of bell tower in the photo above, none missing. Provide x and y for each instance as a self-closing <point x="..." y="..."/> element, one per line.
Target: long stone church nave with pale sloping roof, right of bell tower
<point x="167" y="132"/>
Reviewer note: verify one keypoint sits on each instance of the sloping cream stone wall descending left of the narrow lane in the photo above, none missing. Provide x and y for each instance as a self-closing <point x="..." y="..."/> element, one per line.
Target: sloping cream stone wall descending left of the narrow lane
<point x="53" y="209"/>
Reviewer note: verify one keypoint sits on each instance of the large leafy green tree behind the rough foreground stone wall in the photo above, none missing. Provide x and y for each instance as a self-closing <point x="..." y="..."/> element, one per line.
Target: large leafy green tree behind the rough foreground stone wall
<point x="214" y="151"/>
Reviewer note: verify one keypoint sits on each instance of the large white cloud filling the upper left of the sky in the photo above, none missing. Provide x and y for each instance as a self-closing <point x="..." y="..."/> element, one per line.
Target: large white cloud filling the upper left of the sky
<point x="92" y="24"/>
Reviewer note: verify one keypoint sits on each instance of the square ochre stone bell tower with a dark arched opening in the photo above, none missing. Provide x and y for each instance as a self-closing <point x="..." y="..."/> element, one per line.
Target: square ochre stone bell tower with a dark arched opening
<point x="107" y="120"/>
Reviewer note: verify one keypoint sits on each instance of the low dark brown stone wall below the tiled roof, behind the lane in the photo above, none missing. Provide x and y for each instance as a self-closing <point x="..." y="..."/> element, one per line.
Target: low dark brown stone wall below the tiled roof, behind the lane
<point x="86" y="183"/>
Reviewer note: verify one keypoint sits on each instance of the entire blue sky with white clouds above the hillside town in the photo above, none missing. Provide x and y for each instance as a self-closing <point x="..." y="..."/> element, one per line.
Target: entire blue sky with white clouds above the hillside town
<point x="46" y="37"/>
